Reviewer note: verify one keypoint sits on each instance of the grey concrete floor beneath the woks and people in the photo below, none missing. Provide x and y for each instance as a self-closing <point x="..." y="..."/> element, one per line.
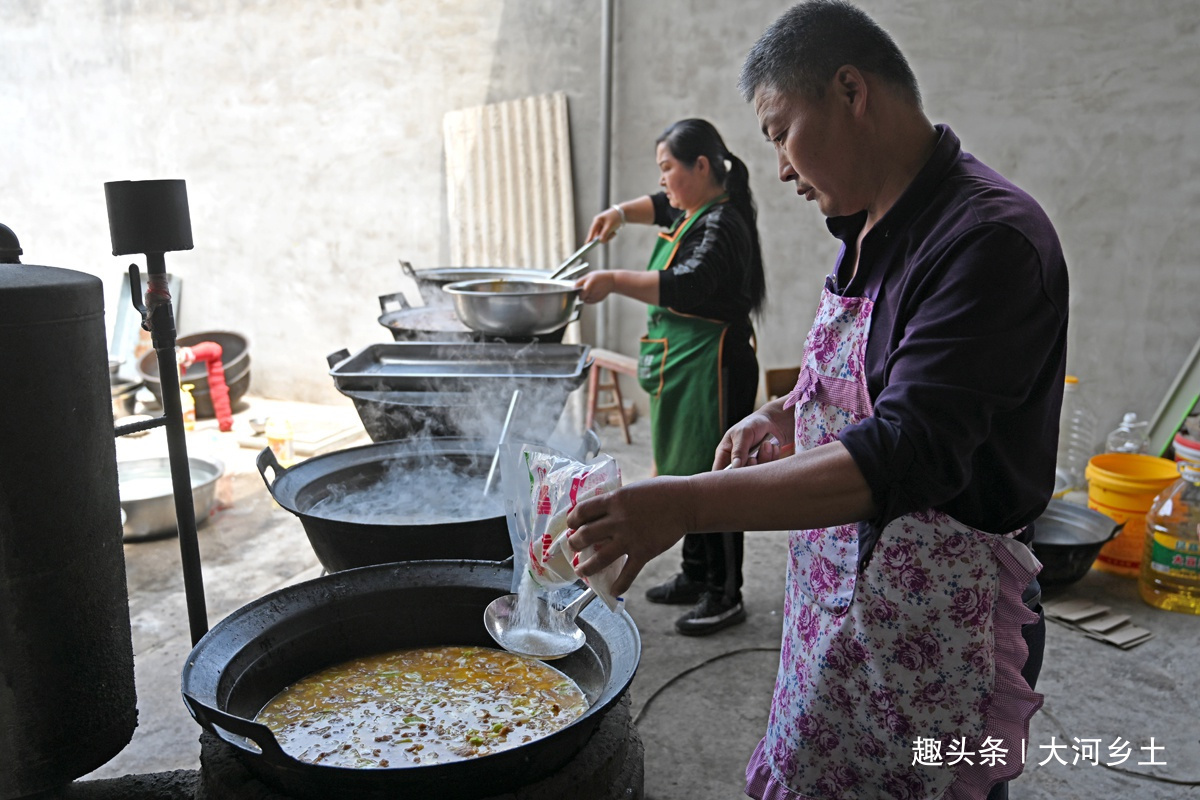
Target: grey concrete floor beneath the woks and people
<point x="701" y="703"/>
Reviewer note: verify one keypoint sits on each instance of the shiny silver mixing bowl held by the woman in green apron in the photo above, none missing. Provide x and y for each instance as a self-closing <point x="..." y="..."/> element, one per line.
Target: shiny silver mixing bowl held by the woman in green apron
<point x="514" y="308"/>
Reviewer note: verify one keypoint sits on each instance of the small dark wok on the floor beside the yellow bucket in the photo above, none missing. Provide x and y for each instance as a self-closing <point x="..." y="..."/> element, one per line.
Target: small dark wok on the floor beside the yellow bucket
<point x="1067" y="538"/>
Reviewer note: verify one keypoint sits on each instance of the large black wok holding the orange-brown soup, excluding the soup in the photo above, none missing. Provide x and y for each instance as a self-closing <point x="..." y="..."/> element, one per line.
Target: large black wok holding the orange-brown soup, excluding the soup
<point x="262" y="648"/>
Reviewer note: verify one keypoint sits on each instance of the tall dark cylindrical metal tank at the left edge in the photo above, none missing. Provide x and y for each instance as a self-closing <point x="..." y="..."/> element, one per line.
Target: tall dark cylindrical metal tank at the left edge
<point x="68" y="701"/>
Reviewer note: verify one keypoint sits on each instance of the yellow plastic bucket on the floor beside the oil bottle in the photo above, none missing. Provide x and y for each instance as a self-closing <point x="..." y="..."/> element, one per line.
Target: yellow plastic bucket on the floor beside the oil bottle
<point x="1124" y="486"/>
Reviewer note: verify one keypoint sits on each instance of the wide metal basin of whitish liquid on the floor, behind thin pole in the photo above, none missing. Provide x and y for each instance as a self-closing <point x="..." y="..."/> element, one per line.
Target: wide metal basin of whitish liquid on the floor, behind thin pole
<point x="148" y="498"/>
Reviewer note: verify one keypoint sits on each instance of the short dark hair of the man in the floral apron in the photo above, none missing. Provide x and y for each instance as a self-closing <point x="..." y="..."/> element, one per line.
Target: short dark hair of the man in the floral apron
<point x="802" y="51"/>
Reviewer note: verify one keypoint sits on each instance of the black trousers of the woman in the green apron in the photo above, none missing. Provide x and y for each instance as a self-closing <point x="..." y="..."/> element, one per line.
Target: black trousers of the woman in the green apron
<point x="716" y="560"/>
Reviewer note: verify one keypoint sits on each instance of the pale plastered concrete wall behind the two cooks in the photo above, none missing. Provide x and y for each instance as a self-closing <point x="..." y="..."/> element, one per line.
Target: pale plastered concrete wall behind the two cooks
<point x="310" y="139"/>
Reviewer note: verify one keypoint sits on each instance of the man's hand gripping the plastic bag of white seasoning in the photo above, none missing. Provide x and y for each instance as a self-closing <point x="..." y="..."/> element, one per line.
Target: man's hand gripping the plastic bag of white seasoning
<point x="641" y="521"/>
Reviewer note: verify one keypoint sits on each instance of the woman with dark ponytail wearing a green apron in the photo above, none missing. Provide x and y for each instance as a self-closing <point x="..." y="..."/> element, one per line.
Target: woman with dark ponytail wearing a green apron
<point x="697" y="360"/>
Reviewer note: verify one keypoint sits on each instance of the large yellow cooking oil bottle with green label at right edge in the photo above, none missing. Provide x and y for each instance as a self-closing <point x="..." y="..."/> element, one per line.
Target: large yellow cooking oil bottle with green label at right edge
<point x="1171" y="563"/>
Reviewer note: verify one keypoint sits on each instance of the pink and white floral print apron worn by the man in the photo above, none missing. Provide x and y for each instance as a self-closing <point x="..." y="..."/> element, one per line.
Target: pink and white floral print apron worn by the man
<point x="922" y="645"/>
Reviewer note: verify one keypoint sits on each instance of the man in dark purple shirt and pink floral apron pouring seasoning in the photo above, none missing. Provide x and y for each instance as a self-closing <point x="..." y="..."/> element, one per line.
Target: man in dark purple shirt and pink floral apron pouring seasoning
<point x="925" y="422"/>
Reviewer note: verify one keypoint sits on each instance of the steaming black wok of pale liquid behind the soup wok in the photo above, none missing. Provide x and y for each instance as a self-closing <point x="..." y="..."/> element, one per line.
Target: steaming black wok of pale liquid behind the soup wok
<point x="343" y="545"/>
